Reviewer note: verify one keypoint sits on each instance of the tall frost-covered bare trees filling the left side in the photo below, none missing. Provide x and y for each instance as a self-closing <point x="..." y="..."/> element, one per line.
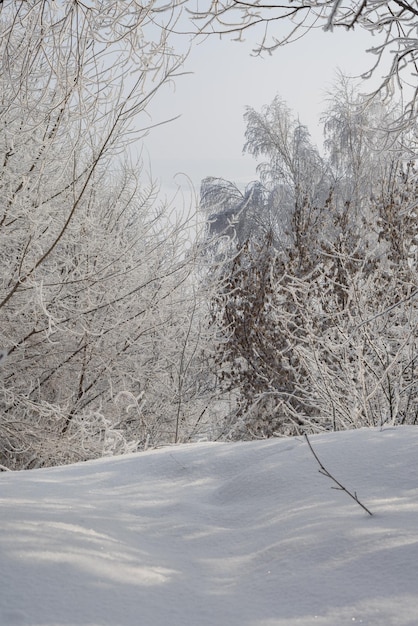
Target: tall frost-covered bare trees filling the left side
<point x="97" y="298"/>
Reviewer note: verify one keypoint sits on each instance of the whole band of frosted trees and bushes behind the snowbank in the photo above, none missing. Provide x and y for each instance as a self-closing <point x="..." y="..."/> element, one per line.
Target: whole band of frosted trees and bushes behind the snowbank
<point x="285" y="308"/>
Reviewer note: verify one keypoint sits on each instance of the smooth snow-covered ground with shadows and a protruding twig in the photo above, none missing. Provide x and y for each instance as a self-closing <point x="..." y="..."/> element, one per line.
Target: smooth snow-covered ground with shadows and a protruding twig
<point x="245" y="534"/>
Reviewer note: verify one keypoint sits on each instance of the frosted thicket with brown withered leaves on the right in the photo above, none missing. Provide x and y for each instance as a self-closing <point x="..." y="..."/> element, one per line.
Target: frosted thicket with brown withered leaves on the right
<point x="316" y="313"/>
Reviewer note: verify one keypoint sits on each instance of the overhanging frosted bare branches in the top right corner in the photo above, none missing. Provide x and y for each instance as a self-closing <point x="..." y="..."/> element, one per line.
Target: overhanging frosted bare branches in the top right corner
<point x="392" y="23"/>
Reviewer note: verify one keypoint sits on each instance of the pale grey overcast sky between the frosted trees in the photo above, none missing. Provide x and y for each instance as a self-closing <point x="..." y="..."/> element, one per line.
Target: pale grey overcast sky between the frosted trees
<point x="207" y="139"/>
